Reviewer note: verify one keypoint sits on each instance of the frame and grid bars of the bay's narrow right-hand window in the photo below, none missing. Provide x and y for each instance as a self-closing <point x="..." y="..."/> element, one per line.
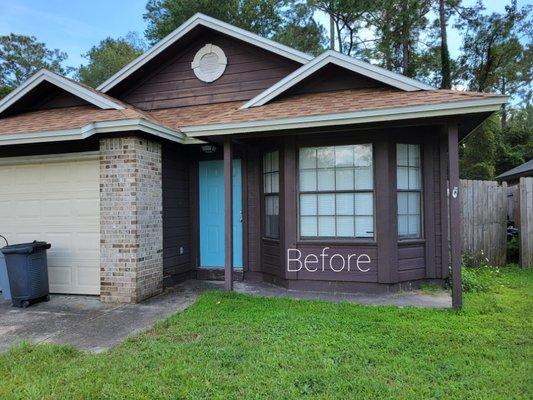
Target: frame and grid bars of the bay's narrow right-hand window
<point x="420" y="191"/>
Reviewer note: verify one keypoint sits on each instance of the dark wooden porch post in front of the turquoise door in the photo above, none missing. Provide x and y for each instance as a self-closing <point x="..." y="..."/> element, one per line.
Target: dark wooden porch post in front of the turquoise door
<point x="228" y="214"/>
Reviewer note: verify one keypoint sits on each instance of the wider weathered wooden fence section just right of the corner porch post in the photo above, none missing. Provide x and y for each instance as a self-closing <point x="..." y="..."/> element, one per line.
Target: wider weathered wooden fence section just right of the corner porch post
<point x="484" y="219"/>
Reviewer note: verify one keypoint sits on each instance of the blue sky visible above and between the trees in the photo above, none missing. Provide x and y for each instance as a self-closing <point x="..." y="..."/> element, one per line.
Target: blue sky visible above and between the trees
<point x="74" y="26"/>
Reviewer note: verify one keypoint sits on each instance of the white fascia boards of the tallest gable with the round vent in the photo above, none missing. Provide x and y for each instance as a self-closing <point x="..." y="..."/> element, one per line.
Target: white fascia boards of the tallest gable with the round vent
<point x="208" y="22"/>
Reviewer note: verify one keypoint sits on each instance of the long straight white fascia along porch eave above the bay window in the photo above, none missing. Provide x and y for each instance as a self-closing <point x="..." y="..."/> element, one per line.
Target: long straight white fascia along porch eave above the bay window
<point x="356" y="117"/>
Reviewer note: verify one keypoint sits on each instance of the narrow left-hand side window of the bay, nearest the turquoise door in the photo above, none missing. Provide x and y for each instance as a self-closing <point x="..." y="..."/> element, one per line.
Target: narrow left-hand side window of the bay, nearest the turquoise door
<point x="271" y="194"/>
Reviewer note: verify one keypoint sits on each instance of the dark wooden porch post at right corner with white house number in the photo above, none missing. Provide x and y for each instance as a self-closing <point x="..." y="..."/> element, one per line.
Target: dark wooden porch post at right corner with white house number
<point x="455" y="225"/>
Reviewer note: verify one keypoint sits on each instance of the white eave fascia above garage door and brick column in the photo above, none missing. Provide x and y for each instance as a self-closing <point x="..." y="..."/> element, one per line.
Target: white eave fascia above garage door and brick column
<point x="96" y="128"/>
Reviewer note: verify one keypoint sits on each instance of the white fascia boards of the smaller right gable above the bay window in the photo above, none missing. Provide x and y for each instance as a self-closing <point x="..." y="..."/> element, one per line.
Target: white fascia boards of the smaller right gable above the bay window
<point x="347" y="62"/>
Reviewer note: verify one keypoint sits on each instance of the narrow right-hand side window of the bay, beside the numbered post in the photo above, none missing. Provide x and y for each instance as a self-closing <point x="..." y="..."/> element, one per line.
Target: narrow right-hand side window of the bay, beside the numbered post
<point x="409" y="185"/>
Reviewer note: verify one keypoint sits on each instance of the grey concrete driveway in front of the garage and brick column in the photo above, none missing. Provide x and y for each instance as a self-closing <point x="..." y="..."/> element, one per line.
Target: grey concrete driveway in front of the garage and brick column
<point x="88" y="324"/>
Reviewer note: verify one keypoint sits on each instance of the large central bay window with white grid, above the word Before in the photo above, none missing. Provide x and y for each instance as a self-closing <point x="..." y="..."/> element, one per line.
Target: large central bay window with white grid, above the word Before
<point x="336" y="197"/>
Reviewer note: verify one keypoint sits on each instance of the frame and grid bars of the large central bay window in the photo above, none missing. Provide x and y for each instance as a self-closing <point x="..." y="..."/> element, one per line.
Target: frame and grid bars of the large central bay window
<point x="335" y="239"/>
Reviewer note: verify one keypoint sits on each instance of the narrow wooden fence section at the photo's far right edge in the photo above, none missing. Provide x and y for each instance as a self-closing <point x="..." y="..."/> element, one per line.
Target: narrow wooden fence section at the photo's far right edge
<point x="525" y="224"/>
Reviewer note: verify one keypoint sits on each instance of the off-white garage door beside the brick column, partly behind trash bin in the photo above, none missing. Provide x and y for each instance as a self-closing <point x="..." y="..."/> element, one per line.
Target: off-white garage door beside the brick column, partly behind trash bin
<point x="56" y="200"/>
